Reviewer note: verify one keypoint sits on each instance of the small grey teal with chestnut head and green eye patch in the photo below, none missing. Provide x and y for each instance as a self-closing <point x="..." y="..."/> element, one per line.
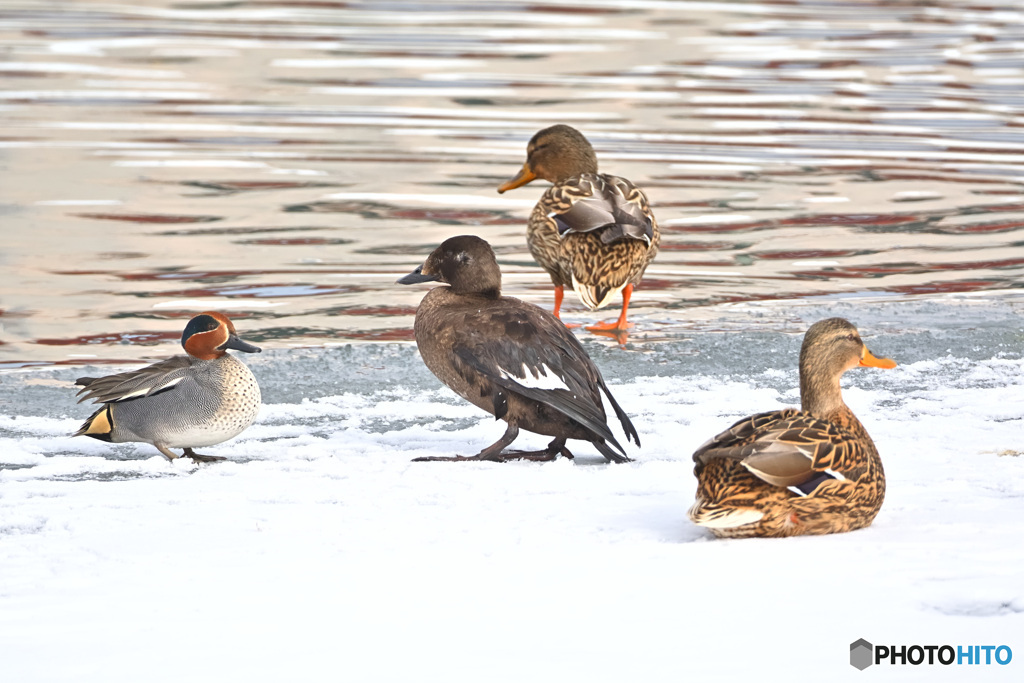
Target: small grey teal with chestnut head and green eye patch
<point x="187" y="402"/>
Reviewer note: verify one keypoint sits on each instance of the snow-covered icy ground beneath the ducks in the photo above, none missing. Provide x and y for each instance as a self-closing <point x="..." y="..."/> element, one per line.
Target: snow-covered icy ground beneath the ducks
<point x="320" y="552"/>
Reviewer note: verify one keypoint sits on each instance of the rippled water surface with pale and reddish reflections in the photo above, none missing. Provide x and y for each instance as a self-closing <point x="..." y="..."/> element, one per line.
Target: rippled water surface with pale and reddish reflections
<point x="286" y="162"/>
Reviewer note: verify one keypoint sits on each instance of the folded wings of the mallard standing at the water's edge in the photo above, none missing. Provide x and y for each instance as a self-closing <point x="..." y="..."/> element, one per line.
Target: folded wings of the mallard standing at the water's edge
<point x="590" y="202"/>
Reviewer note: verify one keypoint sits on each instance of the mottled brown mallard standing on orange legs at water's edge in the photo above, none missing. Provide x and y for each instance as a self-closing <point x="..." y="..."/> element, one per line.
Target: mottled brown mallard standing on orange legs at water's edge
<point x="591" y="232"/>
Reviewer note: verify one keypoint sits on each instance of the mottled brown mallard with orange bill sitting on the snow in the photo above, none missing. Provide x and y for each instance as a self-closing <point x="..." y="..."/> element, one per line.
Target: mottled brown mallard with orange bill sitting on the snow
<point x="795" y="473"/>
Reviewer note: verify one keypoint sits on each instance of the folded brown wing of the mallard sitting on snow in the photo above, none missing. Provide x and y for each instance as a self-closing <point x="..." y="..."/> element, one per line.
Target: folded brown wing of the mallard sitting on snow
<point x="785" y="449"/>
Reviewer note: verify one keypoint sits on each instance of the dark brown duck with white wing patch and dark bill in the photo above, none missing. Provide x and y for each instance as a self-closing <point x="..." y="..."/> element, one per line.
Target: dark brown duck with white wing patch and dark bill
<point x="509" y="358"/>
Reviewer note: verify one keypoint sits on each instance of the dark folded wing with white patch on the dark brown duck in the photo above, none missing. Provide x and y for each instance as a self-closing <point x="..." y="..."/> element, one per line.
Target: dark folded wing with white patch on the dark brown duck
<point x="538" y="359"/>
